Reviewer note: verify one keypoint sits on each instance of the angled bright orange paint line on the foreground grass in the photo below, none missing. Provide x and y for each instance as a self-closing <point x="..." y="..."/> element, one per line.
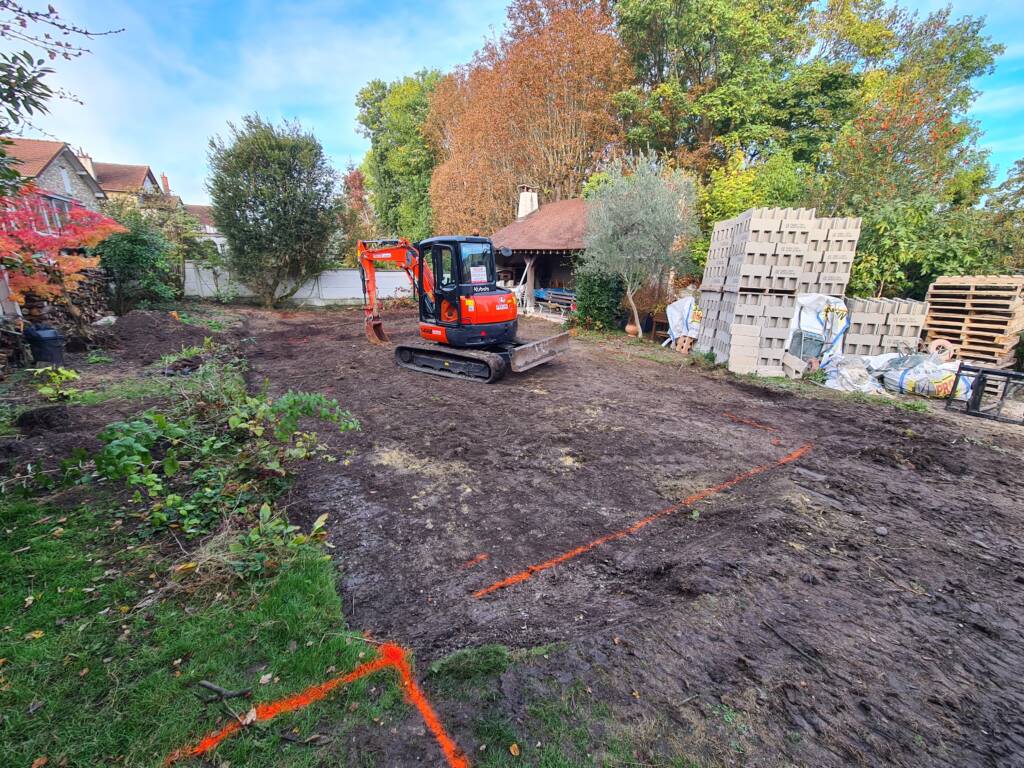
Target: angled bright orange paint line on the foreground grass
<point x="392" y="657"/>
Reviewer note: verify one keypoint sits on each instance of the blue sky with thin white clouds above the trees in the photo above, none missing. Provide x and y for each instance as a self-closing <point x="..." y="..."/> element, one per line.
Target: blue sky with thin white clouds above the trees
<point x="183" y="69"/>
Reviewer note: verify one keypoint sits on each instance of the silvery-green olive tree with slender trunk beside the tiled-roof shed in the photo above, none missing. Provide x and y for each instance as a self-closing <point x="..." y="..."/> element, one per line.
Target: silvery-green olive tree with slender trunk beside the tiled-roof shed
<point x="641" y="222"/>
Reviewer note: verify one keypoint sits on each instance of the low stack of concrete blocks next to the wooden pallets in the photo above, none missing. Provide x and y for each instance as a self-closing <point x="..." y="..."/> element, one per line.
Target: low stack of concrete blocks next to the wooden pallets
<point x="880" y="326"/>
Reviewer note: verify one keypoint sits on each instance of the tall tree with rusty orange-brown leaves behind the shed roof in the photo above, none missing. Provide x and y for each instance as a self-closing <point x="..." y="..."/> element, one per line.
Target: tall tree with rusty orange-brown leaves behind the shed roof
<point x="534" y="107"/>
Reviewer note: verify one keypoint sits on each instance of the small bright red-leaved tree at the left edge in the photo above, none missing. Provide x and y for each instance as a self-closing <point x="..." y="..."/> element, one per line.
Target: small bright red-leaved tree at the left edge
<point x="42" y="250"/>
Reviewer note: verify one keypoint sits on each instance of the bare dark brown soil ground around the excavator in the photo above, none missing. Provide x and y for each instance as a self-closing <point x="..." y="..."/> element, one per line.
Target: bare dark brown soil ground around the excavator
<point x="863" y="606"/>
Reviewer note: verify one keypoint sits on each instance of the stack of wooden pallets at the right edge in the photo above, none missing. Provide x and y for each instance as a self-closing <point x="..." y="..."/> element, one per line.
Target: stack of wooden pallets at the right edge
<point x="984" y="317"/>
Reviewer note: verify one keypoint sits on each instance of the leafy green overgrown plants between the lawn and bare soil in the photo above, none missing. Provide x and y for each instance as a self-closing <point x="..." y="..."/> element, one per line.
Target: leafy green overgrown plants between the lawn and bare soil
<point x="223" y="454"/>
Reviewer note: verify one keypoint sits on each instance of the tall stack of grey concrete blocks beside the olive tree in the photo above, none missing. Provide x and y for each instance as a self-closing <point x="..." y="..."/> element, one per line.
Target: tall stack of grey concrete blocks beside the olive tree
<point x="757" y="265"/>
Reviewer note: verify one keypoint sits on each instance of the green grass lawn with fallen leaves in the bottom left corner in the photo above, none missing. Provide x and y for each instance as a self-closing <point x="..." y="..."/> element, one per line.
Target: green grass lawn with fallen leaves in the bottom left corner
<point x="90" y="679"/>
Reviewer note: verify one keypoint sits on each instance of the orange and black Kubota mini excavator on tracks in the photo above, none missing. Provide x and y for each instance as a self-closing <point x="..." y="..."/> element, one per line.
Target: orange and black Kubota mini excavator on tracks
<point x="471" y="322"/>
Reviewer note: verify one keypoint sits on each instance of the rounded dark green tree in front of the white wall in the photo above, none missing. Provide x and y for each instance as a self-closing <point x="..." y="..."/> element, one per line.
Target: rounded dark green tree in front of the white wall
<point x="276" y="200"/>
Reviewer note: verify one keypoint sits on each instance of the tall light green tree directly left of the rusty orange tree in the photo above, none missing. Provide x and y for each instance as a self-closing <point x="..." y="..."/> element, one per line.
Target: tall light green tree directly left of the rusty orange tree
<point x="401" y="161"/>
